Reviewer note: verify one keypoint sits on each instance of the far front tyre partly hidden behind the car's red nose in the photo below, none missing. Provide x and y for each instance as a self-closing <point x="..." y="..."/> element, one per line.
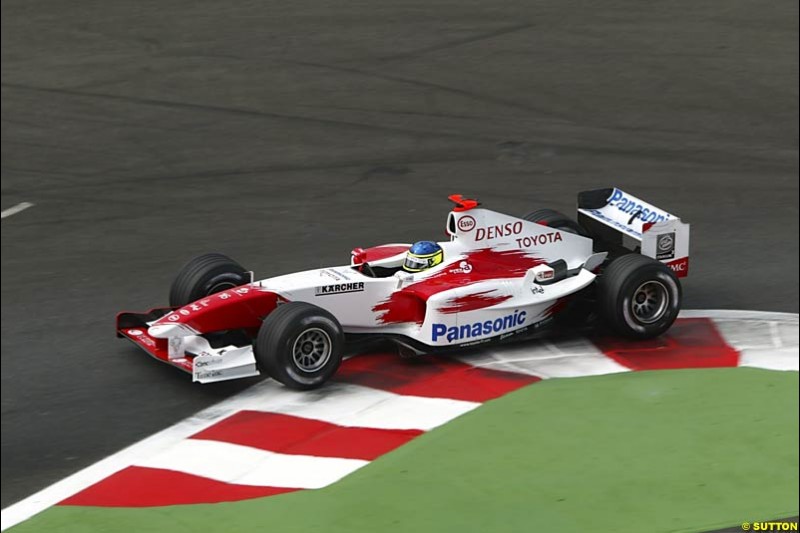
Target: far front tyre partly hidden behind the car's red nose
<point x="205" y="275"/>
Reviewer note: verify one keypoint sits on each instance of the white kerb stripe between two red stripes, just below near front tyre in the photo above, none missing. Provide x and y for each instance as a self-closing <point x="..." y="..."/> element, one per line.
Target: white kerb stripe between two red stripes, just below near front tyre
<point x="356" y="406"/>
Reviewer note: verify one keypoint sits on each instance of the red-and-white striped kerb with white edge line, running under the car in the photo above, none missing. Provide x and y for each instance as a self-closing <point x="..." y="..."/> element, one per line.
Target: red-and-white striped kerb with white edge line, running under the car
<point x="269" y="440"/>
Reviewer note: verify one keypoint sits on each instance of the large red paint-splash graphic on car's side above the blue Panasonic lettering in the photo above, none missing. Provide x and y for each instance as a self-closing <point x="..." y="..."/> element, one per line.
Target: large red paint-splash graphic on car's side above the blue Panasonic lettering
<point x="408" y="304"/>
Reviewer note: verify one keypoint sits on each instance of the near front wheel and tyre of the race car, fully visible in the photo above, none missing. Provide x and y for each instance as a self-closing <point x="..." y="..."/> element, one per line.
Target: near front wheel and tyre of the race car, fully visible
<point x="300" y="345"/>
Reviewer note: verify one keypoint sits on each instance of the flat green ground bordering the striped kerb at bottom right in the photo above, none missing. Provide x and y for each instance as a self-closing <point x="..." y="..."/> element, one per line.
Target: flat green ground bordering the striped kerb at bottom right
<point x="649" y="451"/>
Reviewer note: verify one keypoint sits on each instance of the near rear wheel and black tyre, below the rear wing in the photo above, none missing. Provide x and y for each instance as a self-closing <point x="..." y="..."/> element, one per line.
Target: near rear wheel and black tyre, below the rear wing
<point x="638" y="297"/>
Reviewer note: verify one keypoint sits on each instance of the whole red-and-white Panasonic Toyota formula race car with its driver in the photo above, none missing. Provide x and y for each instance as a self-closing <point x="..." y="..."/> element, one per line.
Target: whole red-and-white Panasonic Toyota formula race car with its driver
<point x="498" y="278"/>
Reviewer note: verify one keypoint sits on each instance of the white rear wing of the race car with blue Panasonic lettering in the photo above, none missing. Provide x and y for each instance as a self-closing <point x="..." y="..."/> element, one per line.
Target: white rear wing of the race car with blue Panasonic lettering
<point x="627" y="224"/>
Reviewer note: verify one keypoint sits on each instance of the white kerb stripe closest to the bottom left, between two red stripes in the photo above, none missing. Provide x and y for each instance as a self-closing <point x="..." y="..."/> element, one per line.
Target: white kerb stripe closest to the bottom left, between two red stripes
<point x="243" y="465"/>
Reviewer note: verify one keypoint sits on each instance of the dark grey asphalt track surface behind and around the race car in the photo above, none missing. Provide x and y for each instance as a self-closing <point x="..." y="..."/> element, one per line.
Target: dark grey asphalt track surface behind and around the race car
<point x="285" y="134"/>
